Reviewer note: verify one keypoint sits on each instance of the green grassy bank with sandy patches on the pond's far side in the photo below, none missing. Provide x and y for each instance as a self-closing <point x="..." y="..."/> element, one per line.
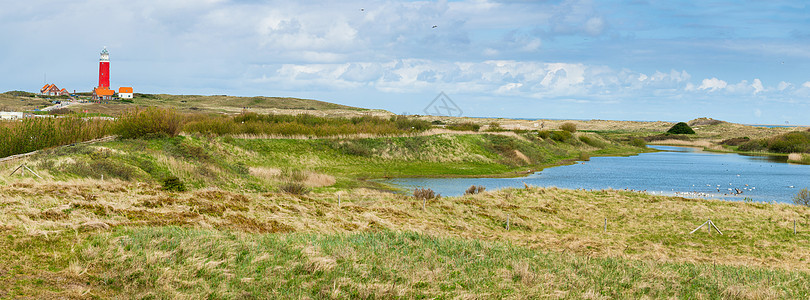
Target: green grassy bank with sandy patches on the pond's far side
<point x="257" y="164"/>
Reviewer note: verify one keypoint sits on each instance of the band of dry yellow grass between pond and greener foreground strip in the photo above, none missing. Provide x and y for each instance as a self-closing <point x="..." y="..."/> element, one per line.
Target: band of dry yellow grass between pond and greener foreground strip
<point x="640" y="226"/>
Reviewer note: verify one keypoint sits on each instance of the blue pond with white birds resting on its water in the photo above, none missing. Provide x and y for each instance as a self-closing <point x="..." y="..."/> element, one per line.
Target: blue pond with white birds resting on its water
<point x="680" y="171"/>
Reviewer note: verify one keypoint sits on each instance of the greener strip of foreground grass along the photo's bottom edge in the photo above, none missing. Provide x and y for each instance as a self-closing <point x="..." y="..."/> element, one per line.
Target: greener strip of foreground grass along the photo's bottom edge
<point x="171" y="262"/>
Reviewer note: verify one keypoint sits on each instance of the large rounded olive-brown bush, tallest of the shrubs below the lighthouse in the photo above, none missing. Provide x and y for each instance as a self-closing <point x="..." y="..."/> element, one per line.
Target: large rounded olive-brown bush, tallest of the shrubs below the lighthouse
<point x="149" y="122"/>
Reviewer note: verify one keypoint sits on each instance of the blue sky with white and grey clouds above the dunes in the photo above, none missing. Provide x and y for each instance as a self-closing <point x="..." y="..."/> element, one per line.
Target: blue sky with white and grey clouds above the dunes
<point x="741" y="61"/>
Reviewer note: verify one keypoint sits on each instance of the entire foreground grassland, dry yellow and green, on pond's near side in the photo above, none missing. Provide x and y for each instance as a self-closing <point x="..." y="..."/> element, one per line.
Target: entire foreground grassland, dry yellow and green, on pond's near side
<point x="109" y="238"/>
